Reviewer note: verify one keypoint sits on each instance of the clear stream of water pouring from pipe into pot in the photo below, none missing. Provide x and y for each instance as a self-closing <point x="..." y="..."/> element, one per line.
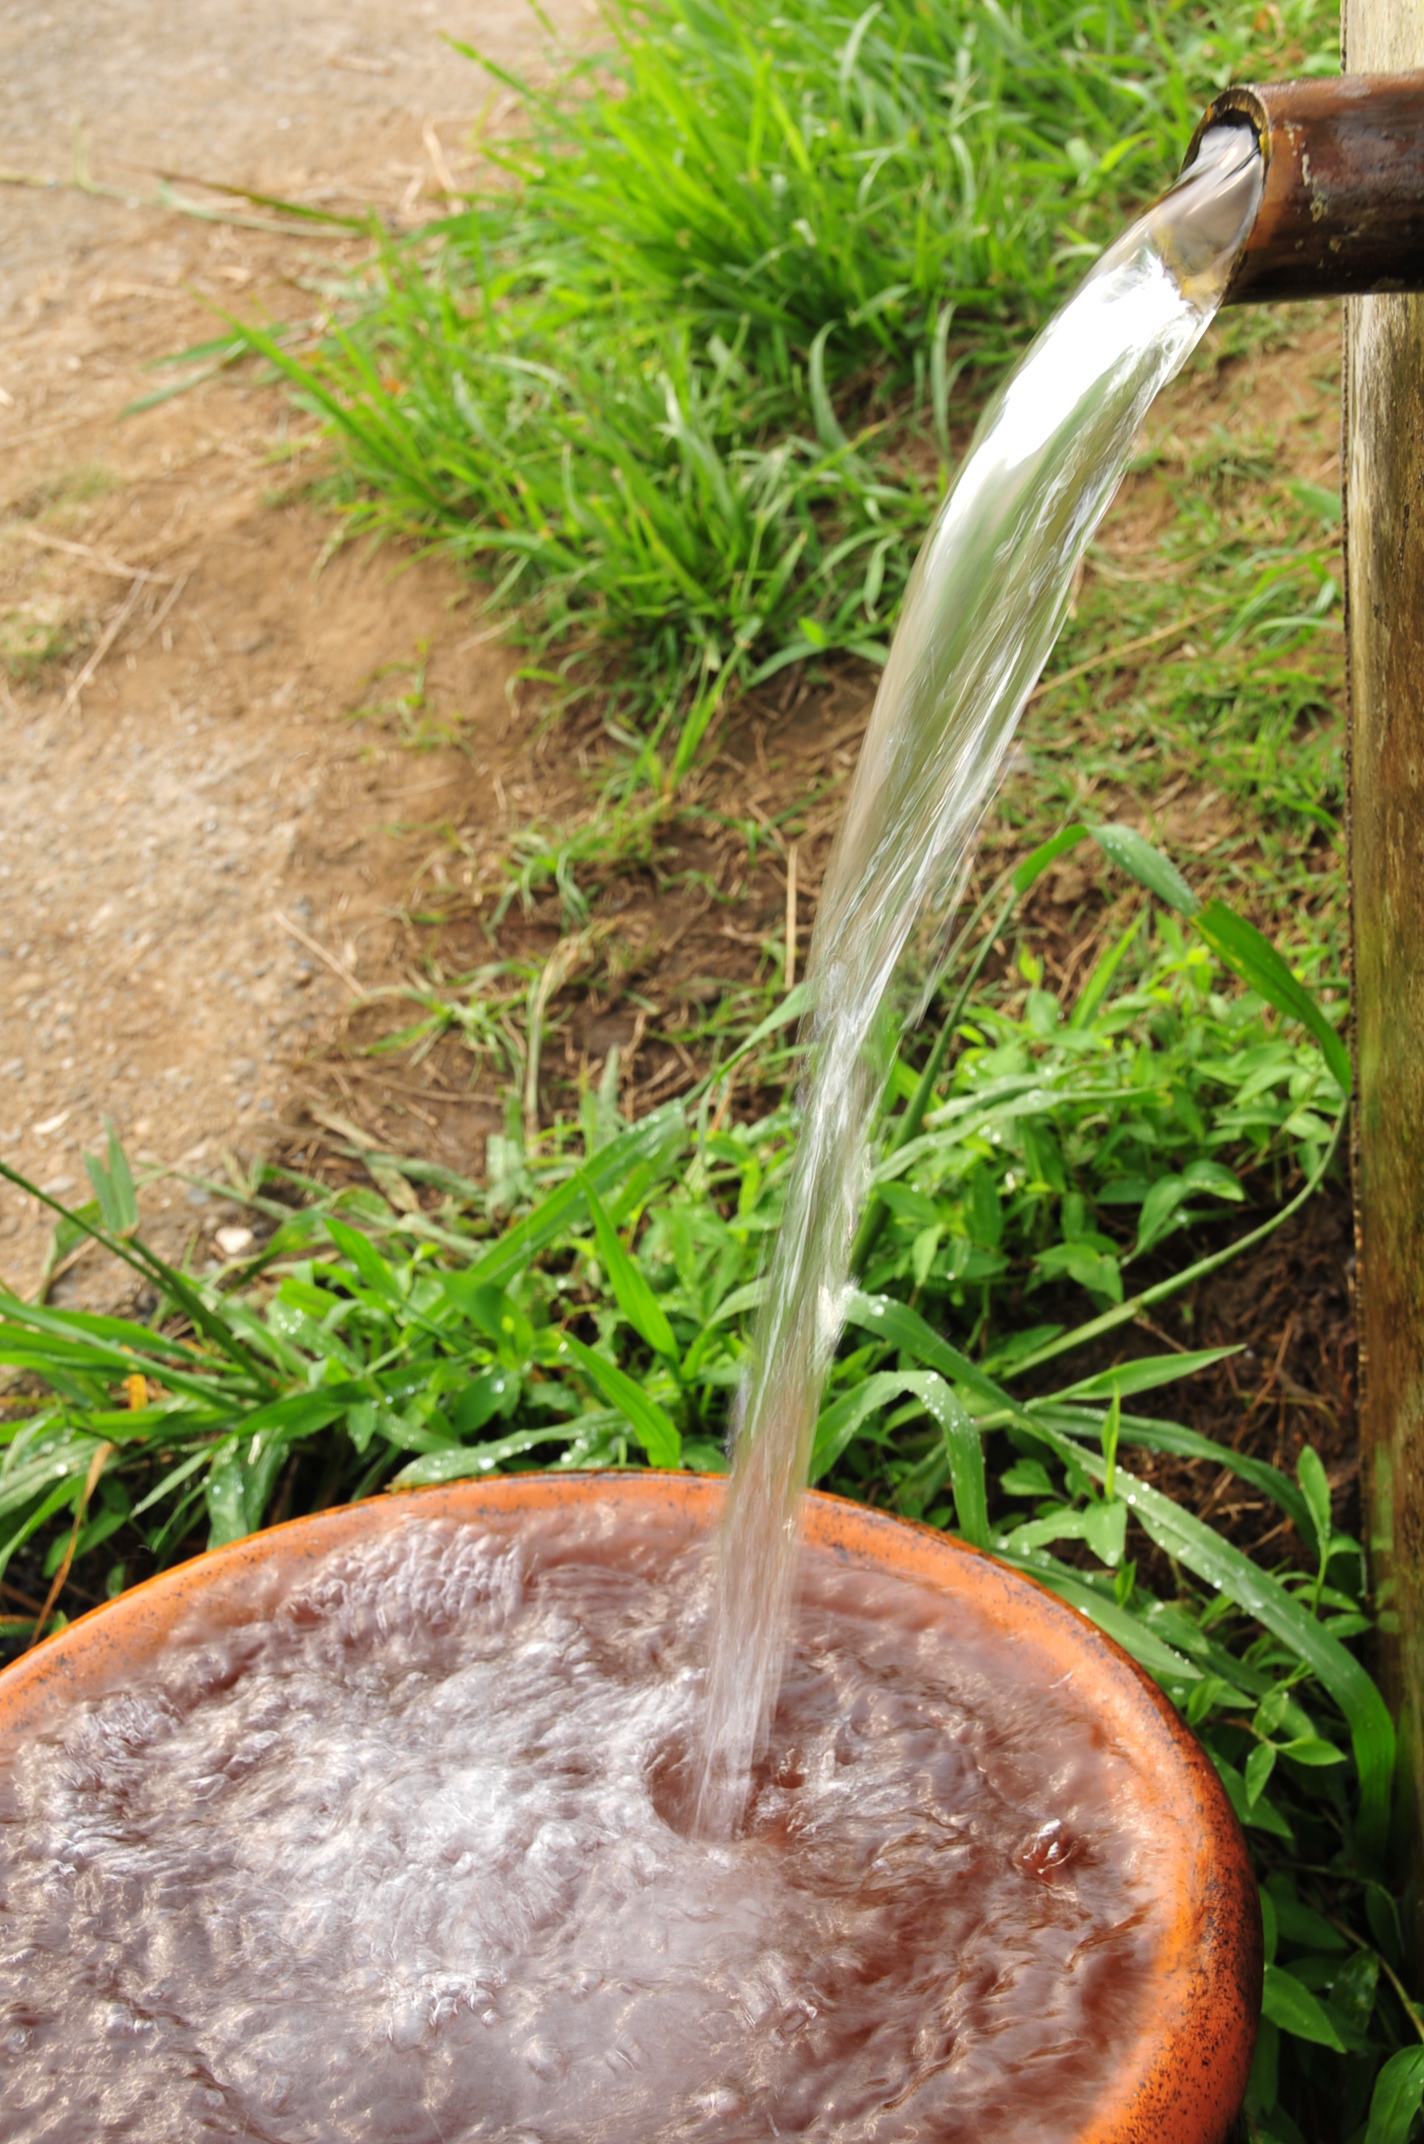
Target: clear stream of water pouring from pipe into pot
<point x="983" y="610"/>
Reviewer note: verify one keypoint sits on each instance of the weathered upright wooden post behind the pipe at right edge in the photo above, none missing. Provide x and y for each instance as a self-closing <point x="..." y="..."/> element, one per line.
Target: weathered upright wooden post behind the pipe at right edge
<point x="1384" y="550"/>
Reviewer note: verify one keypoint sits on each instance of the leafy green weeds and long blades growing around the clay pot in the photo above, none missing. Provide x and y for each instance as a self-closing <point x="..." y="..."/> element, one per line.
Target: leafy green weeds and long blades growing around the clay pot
<point x="381" y="1341"/>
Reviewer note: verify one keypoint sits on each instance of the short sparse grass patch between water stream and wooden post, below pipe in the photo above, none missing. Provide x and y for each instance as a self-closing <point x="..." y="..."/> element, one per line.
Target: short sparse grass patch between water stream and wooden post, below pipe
<point x="1236" y="698"/>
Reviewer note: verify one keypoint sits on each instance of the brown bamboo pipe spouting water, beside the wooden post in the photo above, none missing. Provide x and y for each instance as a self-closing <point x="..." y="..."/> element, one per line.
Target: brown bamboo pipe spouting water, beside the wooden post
<point x="1344" y="203"/>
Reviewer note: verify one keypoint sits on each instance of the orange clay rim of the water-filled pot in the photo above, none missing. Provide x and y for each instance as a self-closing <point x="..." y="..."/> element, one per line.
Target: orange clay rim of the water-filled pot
<point x="1185" y="2076"/>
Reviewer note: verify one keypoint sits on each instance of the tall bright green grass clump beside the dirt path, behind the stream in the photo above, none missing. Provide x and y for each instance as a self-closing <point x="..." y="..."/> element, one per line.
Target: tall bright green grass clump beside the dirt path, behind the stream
<point x="683" y="381"/>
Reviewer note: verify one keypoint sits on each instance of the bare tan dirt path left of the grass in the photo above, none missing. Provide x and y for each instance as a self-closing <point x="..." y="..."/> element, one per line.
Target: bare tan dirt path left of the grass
<point x="203" y="850"/>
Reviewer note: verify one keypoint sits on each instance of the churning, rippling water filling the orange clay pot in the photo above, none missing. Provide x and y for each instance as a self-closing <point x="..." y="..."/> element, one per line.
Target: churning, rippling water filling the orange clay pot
<point x="387" y="1866"/>
